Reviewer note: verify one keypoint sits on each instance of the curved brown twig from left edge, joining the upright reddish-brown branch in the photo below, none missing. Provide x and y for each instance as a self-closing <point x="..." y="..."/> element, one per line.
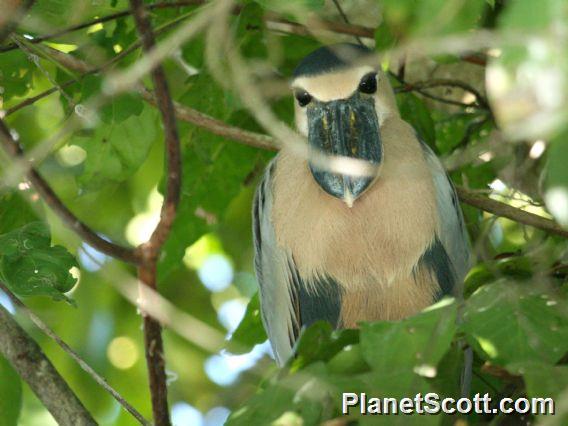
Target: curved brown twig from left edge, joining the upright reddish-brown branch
<point x="67" y="217"/>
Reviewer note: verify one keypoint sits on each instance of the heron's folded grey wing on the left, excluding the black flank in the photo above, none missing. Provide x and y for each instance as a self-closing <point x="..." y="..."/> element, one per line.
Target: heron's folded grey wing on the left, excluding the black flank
<point x="275" y="274"/>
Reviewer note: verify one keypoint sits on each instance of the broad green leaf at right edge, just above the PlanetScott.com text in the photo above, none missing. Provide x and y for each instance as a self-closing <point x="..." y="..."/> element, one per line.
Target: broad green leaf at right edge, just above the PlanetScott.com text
<point x="508" y="322"/>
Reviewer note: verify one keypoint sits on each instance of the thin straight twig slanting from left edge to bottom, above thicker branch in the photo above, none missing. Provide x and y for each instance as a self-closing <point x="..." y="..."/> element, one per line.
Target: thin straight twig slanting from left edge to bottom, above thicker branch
<point x="86" y="367"/>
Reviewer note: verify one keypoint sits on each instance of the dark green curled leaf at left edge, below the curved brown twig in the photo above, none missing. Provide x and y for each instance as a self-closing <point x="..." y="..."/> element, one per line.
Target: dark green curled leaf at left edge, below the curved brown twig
<point x="30" y="266"/>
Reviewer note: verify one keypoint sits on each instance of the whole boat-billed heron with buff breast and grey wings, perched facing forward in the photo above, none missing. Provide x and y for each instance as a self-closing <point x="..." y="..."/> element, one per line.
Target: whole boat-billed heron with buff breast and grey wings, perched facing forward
<point x="343" y="246"/>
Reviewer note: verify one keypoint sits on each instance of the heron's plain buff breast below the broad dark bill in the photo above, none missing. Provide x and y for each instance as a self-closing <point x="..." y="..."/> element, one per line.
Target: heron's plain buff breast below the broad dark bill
<point x="377" y="241"/>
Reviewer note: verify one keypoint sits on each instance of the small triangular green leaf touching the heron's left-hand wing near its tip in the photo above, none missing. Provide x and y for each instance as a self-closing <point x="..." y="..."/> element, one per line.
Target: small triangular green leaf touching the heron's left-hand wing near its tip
<point x="250" y="331"/>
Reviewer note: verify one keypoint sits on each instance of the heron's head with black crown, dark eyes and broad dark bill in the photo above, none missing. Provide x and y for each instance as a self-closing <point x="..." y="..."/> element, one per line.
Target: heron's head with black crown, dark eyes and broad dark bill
<point x="342" y="98"/>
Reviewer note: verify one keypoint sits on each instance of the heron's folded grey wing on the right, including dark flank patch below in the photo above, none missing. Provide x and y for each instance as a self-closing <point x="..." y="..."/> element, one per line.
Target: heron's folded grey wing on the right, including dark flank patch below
<point x="452" y="243"/>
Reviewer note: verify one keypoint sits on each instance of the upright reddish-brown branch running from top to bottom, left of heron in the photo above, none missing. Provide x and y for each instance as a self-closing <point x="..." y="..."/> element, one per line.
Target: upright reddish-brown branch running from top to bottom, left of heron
<point x="149" y="251"/>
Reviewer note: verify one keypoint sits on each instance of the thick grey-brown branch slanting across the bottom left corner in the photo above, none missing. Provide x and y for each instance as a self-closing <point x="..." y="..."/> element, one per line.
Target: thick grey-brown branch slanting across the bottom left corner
<point x="34" y="367"/>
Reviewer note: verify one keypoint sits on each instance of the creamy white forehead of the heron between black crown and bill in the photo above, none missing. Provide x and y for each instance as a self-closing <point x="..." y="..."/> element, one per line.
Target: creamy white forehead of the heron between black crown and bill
<point x="332" y="85"/>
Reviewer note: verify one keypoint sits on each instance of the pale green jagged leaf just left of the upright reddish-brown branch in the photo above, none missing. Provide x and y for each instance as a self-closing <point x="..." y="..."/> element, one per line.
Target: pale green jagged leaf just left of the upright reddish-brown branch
<point x="116" y="150"/>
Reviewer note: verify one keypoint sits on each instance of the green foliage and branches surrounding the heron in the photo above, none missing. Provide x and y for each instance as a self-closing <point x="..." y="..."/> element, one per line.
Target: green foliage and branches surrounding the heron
<point x="87" y="118"/>
